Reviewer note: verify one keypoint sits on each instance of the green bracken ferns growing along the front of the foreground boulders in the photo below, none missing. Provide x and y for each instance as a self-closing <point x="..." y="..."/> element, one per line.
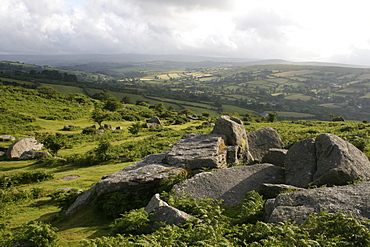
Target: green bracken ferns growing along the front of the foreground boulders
<point x="212" y="225"/>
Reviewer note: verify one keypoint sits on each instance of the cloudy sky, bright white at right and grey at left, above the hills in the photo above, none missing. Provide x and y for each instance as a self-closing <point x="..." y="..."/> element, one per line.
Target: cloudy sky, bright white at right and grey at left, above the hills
<point x="315" y="30"/>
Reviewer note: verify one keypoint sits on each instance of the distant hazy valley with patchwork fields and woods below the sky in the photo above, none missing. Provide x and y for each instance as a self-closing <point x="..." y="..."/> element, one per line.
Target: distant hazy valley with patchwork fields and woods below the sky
<point x="291" y="91"/>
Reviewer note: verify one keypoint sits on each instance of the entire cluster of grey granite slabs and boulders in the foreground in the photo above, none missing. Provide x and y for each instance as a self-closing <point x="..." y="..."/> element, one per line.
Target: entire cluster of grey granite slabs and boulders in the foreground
<point x="326" y="160"/>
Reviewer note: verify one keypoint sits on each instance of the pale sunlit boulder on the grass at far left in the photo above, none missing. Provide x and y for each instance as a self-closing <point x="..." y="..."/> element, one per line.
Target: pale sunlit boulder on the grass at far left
<point x="22" y="145"/>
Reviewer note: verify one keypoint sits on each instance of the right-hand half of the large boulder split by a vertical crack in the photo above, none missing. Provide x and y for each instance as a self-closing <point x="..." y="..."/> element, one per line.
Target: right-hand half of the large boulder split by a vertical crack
<point x="339" y="162"/>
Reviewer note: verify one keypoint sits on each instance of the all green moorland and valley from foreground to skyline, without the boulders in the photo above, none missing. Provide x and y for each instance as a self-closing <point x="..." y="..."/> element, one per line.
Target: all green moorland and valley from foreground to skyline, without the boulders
<point x="58" y="105"/>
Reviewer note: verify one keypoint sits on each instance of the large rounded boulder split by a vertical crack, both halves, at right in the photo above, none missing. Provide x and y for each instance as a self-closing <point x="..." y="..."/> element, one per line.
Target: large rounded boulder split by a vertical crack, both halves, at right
<point x="326" y="160"/>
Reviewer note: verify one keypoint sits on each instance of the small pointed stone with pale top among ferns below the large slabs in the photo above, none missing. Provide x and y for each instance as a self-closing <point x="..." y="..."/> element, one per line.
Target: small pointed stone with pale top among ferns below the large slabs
<point x="162" y="212"/>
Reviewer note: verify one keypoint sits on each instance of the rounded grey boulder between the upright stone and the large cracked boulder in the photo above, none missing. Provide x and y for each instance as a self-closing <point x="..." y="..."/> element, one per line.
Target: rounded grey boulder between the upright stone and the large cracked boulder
<point x="261" y="141"/>
